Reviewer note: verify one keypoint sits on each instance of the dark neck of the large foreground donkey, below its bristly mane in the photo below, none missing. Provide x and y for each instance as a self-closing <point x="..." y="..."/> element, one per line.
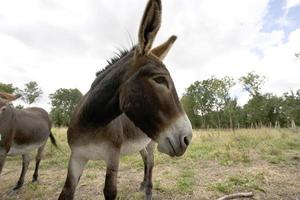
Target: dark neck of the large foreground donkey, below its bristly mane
<point x="101" y="104"/>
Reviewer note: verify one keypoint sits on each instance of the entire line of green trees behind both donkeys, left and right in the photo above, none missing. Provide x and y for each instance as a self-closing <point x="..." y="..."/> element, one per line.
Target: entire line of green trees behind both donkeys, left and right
<point x="208" y="103"/>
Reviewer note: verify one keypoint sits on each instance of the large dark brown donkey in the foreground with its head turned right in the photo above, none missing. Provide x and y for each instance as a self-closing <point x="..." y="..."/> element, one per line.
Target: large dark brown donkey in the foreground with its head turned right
<point x="130" y="103"/>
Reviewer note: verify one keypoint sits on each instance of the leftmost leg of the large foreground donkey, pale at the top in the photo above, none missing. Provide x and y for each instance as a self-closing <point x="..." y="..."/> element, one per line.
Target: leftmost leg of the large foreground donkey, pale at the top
<point x="76" y="166"/>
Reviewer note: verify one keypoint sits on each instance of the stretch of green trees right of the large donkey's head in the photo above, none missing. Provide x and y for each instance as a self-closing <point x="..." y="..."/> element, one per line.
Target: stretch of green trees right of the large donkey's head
<point x="209" y="104"/>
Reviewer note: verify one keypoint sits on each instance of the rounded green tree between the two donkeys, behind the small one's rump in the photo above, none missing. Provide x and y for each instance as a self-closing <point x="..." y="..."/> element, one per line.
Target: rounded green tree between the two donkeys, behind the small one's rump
<point x="63" y="103"/>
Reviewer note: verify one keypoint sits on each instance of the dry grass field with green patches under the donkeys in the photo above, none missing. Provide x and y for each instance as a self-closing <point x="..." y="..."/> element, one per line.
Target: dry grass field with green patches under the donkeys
<point x="264" y="161"/>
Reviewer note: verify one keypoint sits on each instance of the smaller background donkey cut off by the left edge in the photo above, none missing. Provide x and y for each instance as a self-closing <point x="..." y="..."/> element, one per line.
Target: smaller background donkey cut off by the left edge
<point x="22" y="131"/>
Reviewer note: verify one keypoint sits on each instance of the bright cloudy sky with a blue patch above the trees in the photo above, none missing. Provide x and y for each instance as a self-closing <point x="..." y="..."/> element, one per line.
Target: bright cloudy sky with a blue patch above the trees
<point x="62" y="43"/>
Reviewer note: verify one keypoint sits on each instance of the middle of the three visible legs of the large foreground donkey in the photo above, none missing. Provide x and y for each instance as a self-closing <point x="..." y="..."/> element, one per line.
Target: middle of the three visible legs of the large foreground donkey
<point x="110" y="188"/>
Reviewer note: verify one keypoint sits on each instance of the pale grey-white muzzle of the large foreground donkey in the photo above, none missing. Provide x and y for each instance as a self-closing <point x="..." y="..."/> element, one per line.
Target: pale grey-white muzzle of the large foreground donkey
<point x="176" y="138"/>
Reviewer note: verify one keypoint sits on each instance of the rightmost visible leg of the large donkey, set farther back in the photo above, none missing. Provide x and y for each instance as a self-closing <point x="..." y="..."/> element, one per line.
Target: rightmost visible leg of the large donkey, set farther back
<point x="148" y="158"/>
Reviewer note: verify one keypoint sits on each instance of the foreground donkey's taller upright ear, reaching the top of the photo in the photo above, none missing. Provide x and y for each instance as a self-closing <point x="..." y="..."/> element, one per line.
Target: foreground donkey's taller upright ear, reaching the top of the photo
<point x="149" y="26"/>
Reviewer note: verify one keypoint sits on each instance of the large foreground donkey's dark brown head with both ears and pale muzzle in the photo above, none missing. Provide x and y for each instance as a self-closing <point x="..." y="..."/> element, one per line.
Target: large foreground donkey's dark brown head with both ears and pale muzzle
<point x="148" y="96"/>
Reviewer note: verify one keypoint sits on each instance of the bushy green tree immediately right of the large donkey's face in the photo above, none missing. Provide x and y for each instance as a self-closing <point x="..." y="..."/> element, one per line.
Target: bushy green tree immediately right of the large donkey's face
<point x="206" y="101"/>
